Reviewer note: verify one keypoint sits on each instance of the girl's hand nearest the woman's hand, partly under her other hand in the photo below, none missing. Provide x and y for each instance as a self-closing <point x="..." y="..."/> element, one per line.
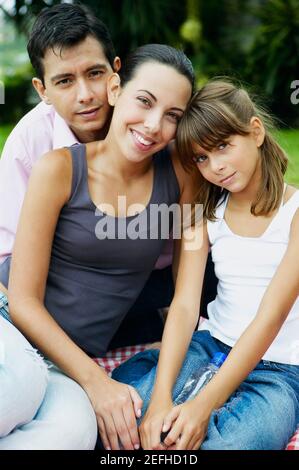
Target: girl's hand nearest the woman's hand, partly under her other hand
<point x="151" y="427"/>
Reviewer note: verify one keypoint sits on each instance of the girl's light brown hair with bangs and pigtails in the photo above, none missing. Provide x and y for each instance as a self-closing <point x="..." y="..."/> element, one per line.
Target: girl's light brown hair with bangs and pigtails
<point x="217" y="111"/>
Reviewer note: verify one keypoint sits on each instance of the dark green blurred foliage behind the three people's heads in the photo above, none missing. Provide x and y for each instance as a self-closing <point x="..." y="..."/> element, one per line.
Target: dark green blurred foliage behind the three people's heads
<point x="256" y="41"/>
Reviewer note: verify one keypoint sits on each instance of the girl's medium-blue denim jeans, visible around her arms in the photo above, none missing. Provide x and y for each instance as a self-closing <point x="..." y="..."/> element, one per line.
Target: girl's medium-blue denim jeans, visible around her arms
<point x="262" y="414"/>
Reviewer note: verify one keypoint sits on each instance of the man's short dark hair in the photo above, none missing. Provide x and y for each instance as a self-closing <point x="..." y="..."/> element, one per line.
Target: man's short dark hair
<point x="64" y="26"/>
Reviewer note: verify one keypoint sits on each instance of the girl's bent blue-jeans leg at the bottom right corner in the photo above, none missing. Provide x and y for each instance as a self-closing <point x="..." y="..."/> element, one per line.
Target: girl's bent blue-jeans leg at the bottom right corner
<point x="262" y="415"/>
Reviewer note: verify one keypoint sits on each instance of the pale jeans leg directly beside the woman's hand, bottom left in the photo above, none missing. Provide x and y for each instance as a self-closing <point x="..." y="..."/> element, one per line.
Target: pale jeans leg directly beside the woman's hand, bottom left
<point x="65" y="421"/>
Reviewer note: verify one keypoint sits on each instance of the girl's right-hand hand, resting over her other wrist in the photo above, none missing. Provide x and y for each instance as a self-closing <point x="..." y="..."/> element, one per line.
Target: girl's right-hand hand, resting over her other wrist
<point x="188" y="425"/>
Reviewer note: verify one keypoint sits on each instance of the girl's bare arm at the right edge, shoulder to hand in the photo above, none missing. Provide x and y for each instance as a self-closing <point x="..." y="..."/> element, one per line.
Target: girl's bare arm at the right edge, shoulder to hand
<point x="191" y="418"/>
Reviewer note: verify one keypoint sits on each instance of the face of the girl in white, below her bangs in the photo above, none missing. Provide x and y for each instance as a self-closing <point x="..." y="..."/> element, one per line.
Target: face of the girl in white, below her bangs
<point x="235" y="163"/>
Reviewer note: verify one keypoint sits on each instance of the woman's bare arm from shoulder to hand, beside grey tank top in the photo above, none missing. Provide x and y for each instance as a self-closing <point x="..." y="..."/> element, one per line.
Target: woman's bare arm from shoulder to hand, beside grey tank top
<point x="49" y="189"/>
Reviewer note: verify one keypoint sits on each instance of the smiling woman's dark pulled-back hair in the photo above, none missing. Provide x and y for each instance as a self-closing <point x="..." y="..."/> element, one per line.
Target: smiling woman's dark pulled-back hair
<point x="159" y="53"/>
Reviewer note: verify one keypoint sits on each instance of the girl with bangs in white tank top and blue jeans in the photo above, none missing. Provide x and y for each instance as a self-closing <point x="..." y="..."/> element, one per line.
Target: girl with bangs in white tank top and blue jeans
<point x="251" y="223"/>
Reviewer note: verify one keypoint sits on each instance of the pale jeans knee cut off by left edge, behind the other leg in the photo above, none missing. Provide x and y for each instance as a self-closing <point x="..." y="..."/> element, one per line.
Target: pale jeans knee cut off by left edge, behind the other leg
<point x="23" y="378"/>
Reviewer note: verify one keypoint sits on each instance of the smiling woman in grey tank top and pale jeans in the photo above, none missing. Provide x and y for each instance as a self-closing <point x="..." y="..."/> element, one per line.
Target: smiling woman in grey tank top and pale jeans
<point x="75" y="270"/>
